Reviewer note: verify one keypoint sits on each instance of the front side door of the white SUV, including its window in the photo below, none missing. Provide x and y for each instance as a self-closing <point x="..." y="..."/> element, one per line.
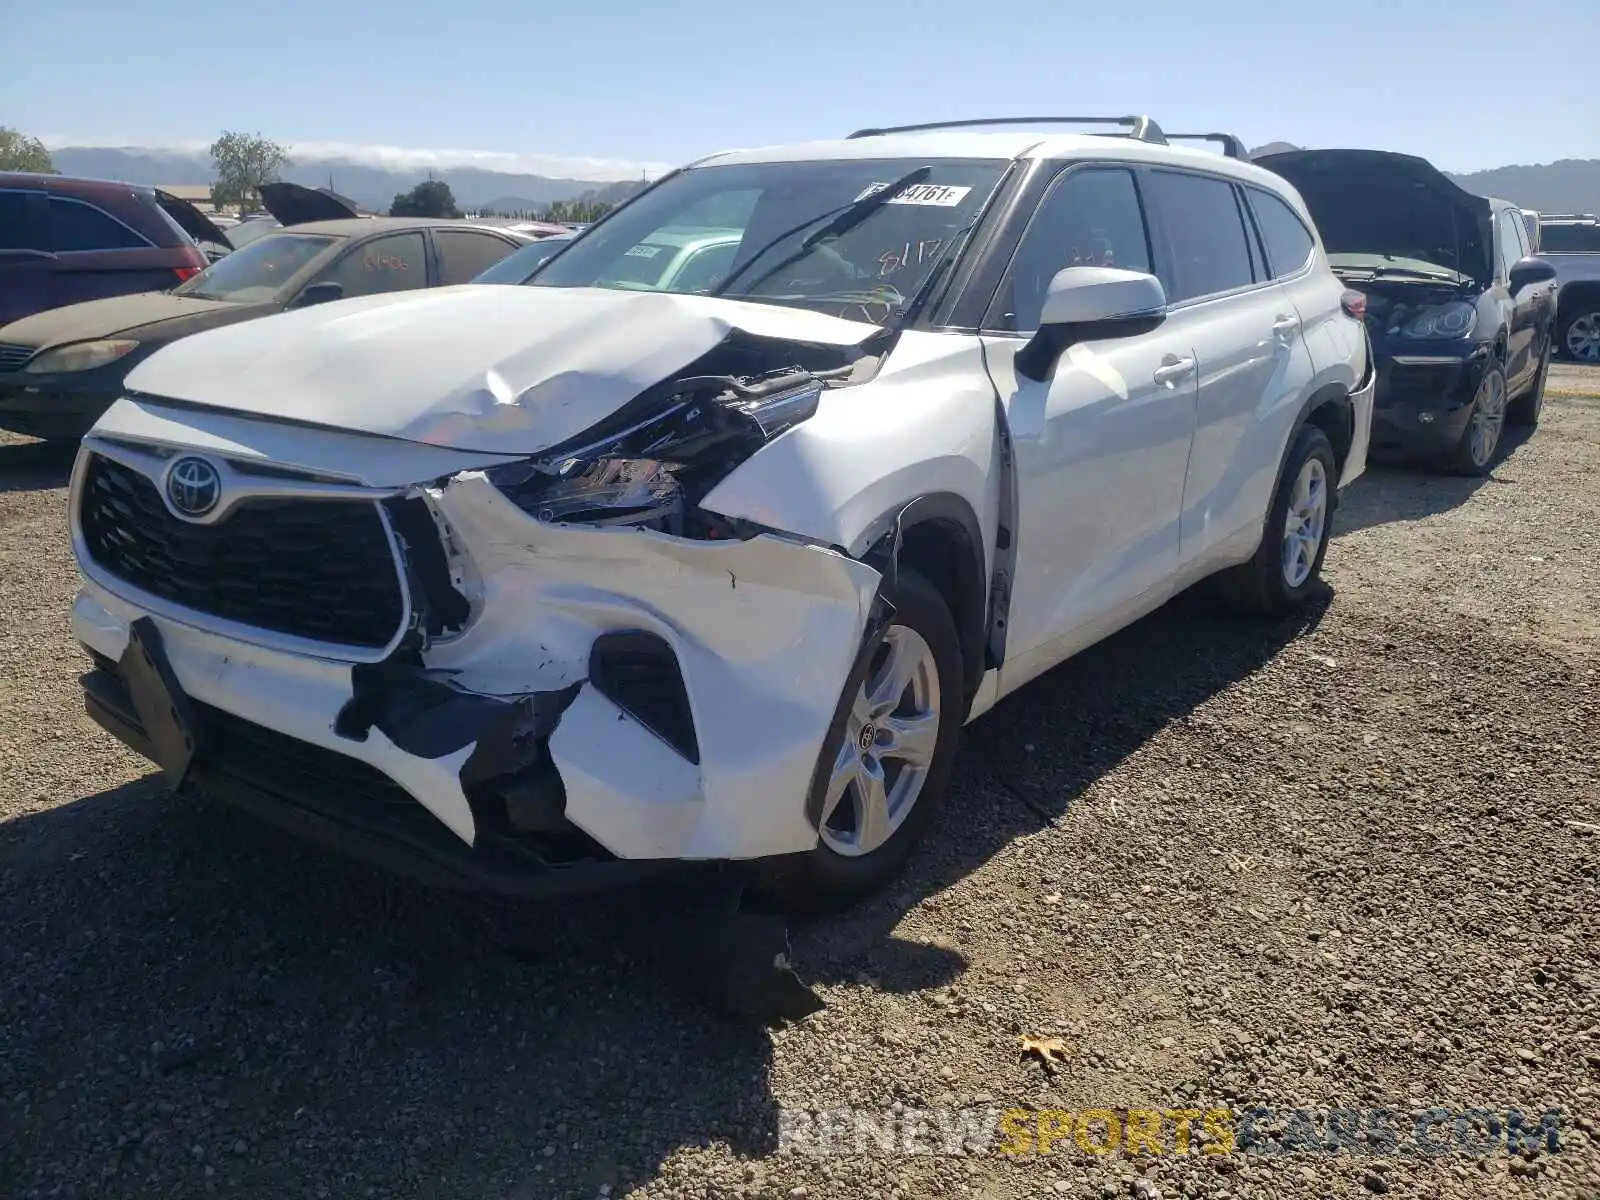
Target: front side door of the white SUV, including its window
<point x="1102" y="444"/>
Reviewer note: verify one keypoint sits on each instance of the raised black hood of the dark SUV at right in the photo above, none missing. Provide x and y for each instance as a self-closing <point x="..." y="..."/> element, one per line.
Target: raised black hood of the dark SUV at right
<point x="1377" y="202"/>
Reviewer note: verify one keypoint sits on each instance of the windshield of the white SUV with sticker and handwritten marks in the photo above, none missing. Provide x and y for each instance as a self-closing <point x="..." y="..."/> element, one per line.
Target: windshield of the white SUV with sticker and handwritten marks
<point x="815" y="234"/>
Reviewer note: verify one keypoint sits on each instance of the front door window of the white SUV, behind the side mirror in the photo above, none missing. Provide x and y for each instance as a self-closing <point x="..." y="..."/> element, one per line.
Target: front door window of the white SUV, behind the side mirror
<point x="1090" y="218"/>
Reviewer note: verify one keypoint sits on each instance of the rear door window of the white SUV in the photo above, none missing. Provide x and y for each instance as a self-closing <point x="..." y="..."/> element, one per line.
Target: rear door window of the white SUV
<point x="1207" y="234"/>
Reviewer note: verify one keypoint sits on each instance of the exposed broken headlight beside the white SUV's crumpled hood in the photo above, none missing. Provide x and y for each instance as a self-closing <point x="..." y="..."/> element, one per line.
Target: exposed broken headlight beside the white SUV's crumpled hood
<point x="654" y="473"/>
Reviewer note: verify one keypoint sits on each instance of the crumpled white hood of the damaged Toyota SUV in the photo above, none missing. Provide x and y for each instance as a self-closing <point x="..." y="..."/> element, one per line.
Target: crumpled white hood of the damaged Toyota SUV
<point x="494" y="370"/>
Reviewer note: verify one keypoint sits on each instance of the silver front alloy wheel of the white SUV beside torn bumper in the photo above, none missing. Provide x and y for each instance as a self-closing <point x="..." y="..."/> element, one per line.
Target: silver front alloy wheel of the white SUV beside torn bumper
<point x="887" y="751"/>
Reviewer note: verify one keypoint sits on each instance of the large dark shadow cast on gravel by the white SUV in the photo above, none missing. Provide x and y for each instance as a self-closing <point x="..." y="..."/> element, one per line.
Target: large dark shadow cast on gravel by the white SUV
<point x="183" y="977"/>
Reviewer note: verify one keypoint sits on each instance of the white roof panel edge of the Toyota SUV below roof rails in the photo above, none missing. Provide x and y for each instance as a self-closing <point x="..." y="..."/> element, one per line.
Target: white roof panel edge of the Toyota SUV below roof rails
<point x="1009" y="146"/>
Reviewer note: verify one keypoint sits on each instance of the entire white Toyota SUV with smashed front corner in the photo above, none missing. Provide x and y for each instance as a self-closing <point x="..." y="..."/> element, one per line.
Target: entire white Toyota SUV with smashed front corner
<point x="546" y="588"/>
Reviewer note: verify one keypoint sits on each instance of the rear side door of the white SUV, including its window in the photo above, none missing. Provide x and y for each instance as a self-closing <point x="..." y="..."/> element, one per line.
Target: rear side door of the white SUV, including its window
<point x="1254" y="364"/>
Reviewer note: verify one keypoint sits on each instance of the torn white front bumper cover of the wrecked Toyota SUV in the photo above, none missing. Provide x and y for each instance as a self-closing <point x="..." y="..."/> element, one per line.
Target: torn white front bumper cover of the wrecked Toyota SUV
<point x="623" y="702"/>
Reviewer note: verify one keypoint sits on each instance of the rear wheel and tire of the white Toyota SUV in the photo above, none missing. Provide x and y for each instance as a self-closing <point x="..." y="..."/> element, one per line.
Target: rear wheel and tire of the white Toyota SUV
<point x="1271" y="583"/>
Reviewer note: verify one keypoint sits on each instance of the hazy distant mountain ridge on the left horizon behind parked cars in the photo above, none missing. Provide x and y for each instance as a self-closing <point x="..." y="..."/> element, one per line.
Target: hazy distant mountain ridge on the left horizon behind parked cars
<point x="370" y="186"/>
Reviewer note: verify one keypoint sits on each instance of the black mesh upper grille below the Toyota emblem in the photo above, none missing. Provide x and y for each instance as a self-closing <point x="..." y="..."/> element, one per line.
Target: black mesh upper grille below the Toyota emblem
<point x="311" y="569"/>
